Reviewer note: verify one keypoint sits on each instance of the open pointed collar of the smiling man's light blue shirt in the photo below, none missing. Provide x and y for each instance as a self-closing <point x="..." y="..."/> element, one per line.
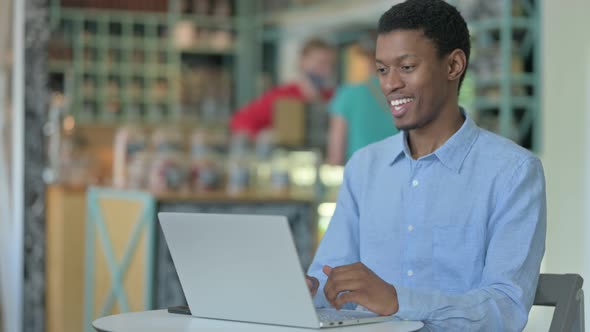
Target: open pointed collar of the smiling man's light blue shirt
<point x="452" y="153"/>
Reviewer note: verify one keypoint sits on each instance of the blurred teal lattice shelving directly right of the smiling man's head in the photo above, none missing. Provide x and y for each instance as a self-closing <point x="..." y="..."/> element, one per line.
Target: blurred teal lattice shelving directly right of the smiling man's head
<point x="504" y="69"/>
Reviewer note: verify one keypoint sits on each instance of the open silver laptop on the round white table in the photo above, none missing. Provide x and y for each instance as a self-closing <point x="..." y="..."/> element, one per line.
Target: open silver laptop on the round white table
<point x="245" y="268"/>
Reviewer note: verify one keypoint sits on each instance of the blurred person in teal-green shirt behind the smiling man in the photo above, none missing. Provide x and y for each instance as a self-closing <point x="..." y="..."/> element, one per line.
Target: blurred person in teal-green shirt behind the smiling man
<point x="359" y="114"/>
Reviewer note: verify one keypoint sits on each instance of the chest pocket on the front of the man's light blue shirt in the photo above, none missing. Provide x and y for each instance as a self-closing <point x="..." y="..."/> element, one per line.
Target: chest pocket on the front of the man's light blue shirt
<point x="458" y="256"/>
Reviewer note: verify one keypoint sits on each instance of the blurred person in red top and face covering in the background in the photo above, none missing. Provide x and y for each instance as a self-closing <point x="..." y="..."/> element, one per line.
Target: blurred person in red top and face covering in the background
<point x="316" y="65"/>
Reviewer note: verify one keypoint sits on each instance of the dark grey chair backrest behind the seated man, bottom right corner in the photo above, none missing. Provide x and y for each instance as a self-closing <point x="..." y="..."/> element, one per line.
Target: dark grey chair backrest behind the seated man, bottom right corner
<point x="564" y="292"/>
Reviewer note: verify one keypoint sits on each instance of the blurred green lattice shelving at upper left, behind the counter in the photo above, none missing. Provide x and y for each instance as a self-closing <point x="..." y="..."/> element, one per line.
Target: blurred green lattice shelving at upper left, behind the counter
<point x="170" y="61"/>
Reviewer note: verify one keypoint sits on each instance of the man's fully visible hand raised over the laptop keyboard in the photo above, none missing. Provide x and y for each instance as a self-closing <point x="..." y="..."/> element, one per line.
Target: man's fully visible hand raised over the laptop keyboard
<point x="358" y="284"/>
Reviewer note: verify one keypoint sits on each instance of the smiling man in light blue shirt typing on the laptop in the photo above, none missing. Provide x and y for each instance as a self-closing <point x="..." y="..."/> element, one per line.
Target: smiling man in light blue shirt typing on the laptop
<point x="444" y="222"/>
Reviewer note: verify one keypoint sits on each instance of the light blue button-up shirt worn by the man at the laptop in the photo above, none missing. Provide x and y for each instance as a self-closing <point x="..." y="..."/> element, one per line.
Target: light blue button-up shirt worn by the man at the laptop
<point x="460" y="232"/>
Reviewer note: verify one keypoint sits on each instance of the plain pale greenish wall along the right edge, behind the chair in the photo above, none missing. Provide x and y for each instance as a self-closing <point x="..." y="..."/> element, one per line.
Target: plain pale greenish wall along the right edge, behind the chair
<point x="565" y="149"/>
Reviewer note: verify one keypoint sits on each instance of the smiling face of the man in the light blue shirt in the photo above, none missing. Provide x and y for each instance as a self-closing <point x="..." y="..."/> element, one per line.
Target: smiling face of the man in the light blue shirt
<point x="413" y="77"/>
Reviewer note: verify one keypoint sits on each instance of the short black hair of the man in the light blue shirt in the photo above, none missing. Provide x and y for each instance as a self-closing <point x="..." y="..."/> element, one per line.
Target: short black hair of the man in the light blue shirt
<point x="439" y="21"/>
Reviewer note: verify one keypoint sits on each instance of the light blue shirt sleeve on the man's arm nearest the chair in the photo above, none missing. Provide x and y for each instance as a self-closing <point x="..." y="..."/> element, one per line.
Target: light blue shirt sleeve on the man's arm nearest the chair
<point x="516" y="245"/>
